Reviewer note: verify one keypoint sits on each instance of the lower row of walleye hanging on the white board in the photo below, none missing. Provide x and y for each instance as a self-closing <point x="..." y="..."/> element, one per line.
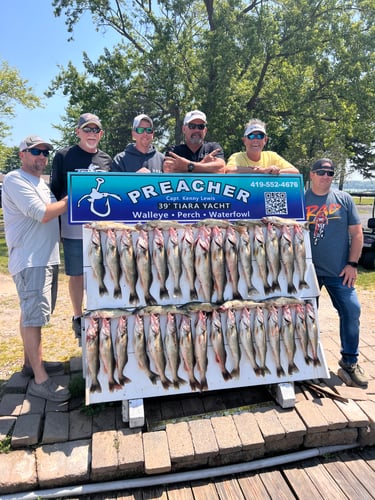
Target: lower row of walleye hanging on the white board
<point x="166" y="337"/>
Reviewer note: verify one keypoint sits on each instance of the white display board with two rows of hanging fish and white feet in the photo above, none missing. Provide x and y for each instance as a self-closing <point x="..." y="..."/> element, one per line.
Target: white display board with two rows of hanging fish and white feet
<point x="152" y="331"/>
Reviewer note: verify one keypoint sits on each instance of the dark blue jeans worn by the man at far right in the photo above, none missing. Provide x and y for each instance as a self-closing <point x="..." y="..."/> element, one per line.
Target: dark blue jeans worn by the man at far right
<point x="345" y="300"/>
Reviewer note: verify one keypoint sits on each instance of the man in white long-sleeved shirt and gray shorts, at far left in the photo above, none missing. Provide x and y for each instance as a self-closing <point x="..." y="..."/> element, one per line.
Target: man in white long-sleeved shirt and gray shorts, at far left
<point x="32" y="235"/>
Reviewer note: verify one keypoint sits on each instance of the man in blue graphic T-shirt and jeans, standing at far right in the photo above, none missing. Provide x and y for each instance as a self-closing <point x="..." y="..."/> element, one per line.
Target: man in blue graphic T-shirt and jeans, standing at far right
<point x="336" y="244"/>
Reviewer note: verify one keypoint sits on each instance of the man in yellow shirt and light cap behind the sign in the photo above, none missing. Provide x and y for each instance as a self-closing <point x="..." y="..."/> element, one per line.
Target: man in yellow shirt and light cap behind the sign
<point x="254" y="160"/>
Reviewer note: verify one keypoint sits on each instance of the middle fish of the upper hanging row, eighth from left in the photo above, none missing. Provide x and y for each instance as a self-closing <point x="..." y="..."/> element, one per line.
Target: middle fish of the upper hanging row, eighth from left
<point x="202" y="262"/>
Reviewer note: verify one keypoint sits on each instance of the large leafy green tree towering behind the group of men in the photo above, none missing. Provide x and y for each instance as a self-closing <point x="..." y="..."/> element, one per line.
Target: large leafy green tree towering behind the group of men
<point x="306" y="68"/>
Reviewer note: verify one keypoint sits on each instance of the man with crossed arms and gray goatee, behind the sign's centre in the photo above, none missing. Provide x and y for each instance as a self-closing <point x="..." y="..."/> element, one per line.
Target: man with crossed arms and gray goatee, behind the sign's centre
<point x="195" y="155"/>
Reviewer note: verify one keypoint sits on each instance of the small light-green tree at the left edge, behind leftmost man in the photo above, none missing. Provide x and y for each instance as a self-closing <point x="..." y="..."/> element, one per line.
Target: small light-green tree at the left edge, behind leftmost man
<point x="13" y="91"/>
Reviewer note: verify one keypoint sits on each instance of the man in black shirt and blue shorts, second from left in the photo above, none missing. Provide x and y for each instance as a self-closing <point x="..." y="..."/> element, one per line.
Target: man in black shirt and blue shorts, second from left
<point x="85" y="155"/>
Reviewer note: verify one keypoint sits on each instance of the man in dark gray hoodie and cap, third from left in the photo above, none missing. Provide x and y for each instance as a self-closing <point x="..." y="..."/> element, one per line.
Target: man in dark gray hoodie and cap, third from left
<point x="140" y="156"/>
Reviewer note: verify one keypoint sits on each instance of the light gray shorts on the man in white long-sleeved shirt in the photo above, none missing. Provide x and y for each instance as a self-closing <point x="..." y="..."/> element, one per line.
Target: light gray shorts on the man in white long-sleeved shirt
<point x="37" y="292"/>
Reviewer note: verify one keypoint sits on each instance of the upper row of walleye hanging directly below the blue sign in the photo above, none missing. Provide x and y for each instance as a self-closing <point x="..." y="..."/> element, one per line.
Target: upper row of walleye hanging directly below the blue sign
<point x="206" y="256"/>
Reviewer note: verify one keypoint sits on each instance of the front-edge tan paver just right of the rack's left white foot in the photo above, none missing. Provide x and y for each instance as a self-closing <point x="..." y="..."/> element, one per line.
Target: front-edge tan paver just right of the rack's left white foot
<point x="157" y="459"/>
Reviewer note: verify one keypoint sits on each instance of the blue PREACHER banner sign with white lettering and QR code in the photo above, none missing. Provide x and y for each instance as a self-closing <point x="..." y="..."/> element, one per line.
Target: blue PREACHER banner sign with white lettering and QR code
<point x="134" y="198"/>
